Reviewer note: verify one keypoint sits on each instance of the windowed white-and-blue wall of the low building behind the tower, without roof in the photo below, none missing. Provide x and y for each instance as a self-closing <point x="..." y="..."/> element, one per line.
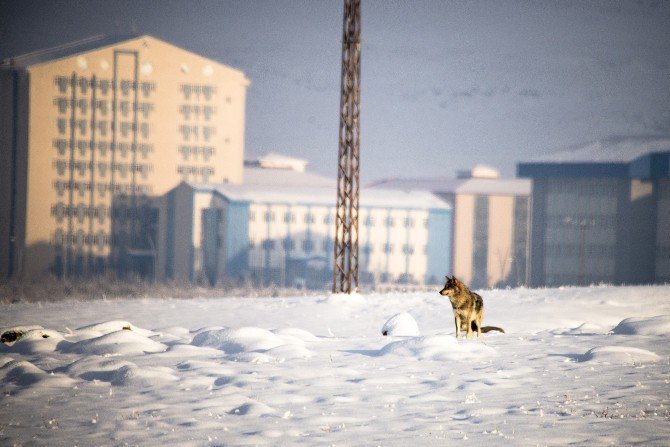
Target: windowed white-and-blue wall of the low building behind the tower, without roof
<point x="281" y="243"/>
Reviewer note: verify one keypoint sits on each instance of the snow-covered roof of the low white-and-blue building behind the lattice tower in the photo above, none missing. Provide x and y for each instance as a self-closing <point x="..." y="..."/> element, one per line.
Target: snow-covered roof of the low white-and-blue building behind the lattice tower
<point x="325" y="196"/>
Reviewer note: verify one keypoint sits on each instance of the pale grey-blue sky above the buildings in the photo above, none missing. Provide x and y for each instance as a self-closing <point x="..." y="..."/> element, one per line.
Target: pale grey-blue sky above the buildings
<point x="445" y="84"/>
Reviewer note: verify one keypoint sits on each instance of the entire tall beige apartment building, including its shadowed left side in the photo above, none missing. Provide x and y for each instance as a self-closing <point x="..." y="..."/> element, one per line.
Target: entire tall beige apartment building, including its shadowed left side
<point x="90" y="132"/>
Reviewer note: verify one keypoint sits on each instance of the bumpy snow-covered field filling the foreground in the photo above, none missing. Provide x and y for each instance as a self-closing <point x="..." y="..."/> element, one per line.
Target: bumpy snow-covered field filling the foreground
<point x="577" y="366"/>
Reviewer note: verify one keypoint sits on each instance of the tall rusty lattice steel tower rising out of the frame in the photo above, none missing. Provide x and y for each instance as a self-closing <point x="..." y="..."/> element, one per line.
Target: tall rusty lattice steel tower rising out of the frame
<point x="345" y="270"/>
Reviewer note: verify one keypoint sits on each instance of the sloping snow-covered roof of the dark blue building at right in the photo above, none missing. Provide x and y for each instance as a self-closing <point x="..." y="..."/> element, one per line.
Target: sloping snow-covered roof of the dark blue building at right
<point x="609" y="150"/>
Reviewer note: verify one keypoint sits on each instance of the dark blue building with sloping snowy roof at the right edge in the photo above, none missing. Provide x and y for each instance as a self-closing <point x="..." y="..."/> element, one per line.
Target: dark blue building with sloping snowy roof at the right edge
<point x="601" y="213"/>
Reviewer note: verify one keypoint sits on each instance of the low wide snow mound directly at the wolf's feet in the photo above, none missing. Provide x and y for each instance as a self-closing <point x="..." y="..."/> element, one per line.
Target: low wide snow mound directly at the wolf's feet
<point x="439" y="347"/>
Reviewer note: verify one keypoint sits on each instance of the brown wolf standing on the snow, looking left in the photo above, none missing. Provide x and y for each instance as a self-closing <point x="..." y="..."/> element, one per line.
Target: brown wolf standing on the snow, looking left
<point x="468" y="308"/>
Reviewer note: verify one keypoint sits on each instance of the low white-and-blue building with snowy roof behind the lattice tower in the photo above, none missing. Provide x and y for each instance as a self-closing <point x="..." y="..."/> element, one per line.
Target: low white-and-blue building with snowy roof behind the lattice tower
<point x="277" y="229"/>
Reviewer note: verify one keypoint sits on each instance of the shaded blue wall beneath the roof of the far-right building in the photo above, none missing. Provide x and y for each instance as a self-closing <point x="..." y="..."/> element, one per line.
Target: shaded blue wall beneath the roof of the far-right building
<point x="595" y="230"/>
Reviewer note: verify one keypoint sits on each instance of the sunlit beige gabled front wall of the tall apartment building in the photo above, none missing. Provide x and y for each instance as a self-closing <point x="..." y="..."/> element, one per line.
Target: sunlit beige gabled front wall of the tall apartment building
<point x="135" y="118"/>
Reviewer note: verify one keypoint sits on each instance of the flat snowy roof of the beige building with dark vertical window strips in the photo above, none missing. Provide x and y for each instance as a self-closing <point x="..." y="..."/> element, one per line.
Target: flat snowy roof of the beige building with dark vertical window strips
<point x="481" y="186"/>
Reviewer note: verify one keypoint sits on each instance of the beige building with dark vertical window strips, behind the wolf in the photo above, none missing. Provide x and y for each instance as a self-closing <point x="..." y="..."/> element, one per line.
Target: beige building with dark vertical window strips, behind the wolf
<point x="491" y="221"/>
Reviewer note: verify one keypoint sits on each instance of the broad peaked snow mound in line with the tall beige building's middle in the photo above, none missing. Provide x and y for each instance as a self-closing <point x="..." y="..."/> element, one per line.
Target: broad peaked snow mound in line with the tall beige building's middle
<point x="123" y="342"/>
